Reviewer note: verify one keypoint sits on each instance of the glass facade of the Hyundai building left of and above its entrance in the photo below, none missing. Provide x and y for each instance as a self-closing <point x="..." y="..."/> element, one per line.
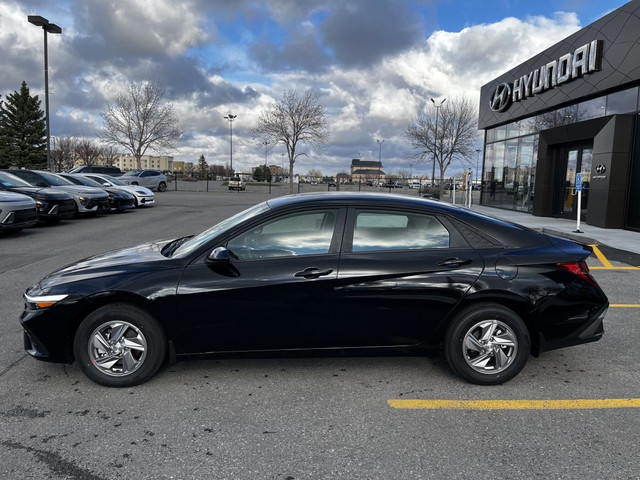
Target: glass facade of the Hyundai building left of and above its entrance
<point x="511" y="150"/>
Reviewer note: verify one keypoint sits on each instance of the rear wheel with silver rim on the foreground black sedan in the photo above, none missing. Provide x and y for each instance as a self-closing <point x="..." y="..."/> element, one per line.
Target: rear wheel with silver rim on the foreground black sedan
<point x="487" y="344"/>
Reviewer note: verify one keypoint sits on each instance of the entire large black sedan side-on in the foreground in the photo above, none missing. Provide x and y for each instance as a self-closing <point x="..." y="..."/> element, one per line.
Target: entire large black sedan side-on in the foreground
<point x="328" y="271"/>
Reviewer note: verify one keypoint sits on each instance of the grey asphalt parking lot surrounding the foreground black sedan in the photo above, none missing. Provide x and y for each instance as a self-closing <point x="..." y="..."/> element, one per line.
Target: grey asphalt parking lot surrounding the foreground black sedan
<point x="571" y="413"/>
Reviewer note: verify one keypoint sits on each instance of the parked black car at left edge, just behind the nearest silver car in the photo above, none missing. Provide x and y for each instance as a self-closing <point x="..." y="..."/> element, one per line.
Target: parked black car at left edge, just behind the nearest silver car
<point x="52" y="205"/>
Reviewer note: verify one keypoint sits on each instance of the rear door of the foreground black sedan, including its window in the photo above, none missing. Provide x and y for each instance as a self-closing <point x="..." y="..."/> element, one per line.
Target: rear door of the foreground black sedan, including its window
<point x="401" y="273"/>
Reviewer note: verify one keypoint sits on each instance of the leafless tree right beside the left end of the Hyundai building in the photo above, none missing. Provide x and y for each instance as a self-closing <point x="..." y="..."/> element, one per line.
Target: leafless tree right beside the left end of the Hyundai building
<point x="455" y="138"/>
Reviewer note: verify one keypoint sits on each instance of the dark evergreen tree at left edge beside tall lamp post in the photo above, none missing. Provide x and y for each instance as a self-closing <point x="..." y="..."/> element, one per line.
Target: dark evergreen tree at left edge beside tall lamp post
<point x="22" y="131"/>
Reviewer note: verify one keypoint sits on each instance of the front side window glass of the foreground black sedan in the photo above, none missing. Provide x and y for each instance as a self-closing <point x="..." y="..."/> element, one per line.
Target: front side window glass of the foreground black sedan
<point x="304" y="233"/>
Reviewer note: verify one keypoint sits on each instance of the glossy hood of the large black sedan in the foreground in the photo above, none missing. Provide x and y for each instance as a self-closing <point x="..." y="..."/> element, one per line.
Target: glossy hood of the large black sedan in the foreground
<point x="135" y="260"/>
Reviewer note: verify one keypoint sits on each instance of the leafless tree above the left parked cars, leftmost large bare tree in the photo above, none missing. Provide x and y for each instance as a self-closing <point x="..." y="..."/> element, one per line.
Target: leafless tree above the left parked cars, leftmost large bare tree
<point x="140" y="119"/>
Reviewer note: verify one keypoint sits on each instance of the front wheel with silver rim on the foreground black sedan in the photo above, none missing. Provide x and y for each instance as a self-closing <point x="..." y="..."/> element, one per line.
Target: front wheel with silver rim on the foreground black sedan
<point x="119" y="345"/>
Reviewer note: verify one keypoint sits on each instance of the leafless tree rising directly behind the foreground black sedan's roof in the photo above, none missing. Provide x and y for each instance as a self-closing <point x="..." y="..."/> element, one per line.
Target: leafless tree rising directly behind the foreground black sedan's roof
<point x="295" y="120"/>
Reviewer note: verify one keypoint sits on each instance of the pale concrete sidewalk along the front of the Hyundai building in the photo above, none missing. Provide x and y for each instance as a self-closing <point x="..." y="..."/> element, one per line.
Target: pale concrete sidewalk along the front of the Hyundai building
<point x="625" y="240"/>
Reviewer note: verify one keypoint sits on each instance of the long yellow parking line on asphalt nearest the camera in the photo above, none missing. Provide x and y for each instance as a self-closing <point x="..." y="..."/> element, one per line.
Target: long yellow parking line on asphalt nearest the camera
<point x="515" y="404"/>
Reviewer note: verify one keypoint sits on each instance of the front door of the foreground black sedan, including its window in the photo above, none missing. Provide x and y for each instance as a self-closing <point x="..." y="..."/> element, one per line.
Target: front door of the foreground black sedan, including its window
<point x="275" y="291"/>
